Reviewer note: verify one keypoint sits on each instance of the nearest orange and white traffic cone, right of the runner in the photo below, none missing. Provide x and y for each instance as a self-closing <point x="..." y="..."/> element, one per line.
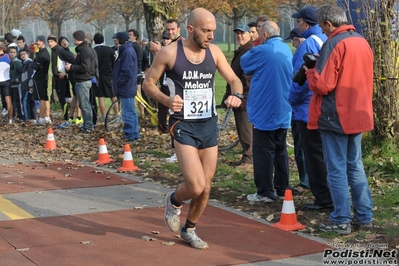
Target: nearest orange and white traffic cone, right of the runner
<point x="288" y="221"/>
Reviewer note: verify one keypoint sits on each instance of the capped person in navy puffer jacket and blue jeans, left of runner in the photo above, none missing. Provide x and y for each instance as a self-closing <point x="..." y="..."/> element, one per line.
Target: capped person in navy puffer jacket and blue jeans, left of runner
<point x="125" y="84"/>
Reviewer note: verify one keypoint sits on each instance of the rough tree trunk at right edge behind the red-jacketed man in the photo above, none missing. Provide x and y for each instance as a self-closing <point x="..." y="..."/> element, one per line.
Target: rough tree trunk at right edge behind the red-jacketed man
<point x="377" y="23"/>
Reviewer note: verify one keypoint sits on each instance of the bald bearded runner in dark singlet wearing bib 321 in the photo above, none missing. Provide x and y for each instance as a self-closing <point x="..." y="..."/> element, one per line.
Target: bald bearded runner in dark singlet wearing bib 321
<point x="190" y="67"/>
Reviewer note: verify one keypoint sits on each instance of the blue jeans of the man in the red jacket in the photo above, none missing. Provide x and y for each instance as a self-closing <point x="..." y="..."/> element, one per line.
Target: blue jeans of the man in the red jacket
<point x="343" y="159"/>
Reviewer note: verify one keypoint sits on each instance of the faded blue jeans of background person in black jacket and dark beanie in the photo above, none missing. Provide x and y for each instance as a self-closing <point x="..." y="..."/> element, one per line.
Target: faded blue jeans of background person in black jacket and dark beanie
<point x="83" y="93"/>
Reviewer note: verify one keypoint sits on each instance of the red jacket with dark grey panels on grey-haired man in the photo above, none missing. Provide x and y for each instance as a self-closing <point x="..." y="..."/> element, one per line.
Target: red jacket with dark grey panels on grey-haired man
<point x="342" y="82"/>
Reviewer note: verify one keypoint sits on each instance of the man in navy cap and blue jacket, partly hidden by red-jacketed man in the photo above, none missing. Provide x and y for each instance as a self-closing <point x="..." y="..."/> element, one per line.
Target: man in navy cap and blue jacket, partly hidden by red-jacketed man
<point x="299" y="98"/>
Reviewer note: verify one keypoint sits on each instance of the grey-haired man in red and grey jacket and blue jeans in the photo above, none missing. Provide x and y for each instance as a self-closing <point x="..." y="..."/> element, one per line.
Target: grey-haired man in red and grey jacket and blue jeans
<point x="341" y="109"/>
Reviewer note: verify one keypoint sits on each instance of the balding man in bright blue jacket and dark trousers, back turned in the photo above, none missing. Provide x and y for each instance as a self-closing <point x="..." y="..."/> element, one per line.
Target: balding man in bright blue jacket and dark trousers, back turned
<point x="270" y="65"/>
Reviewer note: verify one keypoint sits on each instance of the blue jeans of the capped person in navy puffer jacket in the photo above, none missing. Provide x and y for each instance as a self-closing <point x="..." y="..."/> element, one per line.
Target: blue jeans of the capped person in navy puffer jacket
<point x="130" y="120"/>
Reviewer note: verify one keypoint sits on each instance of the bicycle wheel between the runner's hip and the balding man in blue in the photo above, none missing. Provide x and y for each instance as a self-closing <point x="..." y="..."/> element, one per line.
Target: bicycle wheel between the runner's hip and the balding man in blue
<point x="228" y="136"/>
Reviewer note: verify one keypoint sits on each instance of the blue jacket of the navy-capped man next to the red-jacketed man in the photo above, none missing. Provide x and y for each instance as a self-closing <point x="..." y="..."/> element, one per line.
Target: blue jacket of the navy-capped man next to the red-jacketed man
<point x="299" y="96"/>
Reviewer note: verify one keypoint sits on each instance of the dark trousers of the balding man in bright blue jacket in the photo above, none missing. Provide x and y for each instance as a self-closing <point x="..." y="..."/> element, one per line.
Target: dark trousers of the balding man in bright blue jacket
<point x="270" y="153"/>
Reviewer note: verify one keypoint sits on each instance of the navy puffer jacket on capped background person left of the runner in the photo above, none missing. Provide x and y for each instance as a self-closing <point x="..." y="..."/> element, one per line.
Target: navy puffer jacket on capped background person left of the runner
<point x="125" y="72"/>
